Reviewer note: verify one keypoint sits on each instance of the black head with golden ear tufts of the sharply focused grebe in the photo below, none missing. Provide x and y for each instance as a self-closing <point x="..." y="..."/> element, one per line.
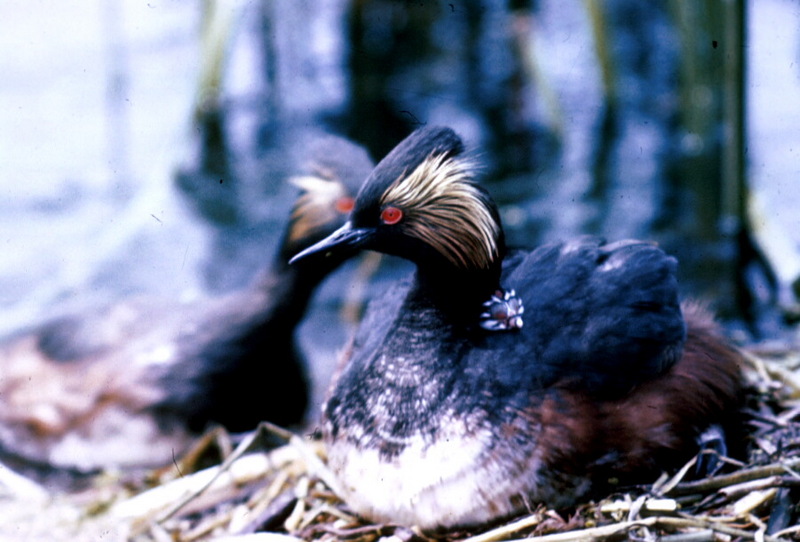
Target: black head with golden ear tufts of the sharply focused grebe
<point x="421" y="203"/>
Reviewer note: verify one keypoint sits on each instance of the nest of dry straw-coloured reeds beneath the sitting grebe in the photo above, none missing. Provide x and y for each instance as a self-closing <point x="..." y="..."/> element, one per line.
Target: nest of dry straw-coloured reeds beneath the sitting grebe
<point x="285" y="493"/>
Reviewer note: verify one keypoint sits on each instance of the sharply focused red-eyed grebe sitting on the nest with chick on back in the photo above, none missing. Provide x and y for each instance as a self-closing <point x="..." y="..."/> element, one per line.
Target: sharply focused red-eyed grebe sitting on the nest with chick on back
<point x="442" y="418"/>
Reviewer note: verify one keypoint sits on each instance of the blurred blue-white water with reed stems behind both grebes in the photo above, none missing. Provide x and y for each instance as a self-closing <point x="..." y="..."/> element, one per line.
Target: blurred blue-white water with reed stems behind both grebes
<point x="145" y="144"/>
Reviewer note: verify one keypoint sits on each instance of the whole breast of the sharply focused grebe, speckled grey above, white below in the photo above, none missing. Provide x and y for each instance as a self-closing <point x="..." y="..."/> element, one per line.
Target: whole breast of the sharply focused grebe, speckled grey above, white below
<point x="420" y="435"/>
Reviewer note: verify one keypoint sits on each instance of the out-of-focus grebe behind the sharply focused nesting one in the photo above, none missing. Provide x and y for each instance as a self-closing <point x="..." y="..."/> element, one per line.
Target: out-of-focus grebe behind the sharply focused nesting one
<point x="131" y="384"/>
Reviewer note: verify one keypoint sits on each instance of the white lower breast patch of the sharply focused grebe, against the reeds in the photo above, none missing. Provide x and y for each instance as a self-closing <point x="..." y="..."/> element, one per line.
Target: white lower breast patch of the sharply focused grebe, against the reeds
<point x="469" y="473"/>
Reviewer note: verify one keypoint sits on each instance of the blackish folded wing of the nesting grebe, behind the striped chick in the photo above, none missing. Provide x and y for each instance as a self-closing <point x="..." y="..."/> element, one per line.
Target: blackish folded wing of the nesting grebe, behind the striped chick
<point x="599" y="316"/>
